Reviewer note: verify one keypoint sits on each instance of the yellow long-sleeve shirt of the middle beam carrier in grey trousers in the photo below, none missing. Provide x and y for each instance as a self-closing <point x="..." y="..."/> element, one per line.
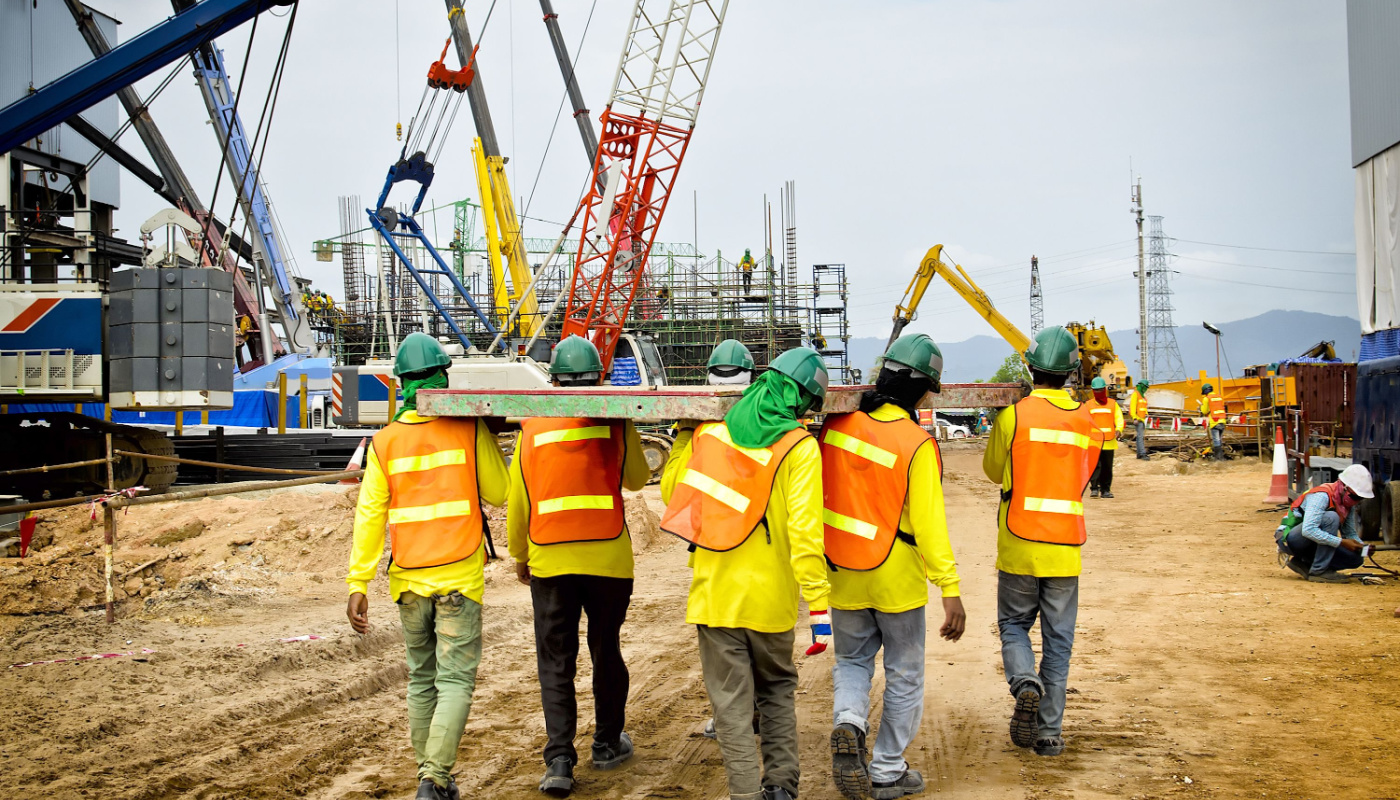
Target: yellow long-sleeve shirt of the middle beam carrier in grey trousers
<point x="757" y="585"/>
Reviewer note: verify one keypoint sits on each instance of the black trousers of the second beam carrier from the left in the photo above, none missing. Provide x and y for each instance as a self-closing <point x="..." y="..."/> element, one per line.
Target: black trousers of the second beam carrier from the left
<point x="558" y="606"/>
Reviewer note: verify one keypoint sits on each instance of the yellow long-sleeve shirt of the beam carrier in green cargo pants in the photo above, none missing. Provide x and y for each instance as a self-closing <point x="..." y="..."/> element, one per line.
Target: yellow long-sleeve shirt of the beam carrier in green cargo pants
<point x="373" y="511"/>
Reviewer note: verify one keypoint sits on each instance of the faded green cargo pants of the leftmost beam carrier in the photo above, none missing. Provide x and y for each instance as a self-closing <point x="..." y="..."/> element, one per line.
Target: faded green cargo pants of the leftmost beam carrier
<point x="444" y="641"/>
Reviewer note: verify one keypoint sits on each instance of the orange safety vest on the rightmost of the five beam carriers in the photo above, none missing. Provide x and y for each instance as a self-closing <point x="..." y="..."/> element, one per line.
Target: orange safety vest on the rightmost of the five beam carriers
<point x="1053" y="453"/>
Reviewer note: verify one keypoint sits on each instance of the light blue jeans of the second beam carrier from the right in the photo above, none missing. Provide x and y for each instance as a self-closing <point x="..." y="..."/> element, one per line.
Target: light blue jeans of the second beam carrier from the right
<point x="857" y="637"/>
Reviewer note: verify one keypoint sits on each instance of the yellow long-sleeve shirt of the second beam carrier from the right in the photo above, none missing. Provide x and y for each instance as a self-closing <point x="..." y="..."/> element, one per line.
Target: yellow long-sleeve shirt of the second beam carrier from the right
<point x="898" y="585"/>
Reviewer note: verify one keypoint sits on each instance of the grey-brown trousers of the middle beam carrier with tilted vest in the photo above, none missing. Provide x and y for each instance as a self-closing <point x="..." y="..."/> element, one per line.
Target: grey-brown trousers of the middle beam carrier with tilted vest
<point x="745" y="670"/>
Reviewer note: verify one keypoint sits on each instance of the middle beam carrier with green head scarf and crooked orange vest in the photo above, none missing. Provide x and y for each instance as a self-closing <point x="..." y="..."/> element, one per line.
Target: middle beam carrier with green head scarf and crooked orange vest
<point x="747" y="494"/>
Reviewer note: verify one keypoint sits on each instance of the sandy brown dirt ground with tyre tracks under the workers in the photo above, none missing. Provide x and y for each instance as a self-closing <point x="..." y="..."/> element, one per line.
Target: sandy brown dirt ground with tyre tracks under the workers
<point x="1200" y="669"/>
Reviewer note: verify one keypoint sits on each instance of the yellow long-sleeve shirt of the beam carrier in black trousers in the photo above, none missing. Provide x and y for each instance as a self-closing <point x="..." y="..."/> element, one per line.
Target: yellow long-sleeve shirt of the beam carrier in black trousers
<point x="611" y="558"/>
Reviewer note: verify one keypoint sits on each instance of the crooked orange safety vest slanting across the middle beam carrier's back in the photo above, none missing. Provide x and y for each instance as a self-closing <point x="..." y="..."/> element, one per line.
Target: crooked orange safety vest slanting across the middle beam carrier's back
<point x="723" y="495"/>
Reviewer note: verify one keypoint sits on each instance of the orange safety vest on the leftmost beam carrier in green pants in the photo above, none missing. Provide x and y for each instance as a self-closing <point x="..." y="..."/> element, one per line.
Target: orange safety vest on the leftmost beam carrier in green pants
<point x="435" y="508"/>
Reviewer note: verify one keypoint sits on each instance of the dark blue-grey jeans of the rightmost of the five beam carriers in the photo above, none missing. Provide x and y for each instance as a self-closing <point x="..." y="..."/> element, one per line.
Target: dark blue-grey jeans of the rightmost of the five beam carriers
<point x="1056" y="600"/>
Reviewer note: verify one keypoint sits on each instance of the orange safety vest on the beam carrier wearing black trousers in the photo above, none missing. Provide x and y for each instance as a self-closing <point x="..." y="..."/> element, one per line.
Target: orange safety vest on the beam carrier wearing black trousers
<point x="573" y="478"/>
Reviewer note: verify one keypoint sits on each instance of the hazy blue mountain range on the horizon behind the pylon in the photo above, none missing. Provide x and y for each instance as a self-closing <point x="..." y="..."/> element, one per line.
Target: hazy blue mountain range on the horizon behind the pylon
<point x="1268" y="338"/>
